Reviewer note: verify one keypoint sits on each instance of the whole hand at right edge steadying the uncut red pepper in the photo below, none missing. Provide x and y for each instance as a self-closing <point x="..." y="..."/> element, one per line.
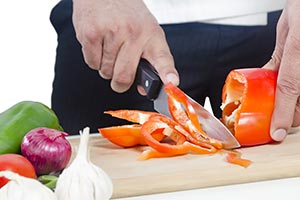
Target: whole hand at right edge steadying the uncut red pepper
<point x="286" y="60"/>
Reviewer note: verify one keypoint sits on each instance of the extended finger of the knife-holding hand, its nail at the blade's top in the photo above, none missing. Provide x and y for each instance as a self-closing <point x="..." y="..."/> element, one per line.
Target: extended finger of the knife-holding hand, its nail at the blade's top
<point x="157" y="52"/>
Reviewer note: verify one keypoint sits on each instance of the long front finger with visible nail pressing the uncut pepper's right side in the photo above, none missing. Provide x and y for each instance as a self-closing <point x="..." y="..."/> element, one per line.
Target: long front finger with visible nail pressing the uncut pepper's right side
<point x="288" y="86"/>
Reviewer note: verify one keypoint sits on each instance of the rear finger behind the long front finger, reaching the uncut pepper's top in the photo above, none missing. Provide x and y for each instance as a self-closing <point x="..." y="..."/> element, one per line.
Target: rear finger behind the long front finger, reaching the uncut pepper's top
<point x="282" y="32"/>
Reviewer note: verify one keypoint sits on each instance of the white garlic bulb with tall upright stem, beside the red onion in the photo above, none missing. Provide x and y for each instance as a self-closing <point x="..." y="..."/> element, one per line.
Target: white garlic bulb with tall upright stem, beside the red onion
<point x="82" y="179"/>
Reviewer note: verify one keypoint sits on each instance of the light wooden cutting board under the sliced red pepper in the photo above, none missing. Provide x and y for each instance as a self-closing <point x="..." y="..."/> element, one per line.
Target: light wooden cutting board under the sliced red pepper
<point x="132" y="177"/>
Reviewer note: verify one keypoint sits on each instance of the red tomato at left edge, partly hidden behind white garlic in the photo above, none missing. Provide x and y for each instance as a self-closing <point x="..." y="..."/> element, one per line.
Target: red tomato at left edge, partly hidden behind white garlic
<point x="16" y="163"/>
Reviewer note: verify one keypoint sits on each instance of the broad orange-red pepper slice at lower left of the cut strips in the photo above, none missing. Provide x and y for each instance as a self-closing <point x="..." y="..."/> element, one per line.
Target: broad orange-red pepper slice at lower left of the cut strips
<point x="127" y="135"/>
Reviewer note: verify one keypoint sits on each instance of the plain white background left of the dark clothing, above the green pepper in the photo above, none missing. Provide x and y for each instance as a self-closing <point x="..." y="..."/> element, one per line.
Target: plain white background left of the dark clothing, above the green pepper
<point x="27" y="51"/>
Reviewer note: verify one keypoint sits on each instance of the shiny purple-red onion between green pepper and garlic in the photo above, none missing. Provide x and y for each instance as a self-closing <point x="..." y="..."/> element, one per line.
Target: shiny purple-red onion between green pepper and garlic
<point x="47" y="149"/>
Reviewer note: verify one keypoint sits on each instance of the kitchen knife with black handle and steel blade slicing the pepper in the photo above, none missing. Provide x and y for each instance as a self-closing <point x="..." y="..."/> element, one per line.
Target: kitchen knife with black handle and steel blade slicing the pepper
<point x="148" y="78"/>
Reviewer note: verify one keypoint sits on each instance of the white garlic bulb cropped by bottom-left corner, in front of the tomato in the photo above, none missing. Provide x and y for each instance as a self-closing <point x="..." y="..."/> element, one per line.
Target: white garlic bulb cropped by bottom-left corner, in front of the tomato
<point x="23" y="188"/>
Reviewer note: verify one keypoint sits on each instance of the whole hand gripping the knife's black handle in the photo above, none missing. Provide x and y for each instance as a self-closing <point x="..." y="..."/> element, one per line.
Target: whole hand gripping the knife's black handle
<point x="114" y="36"/>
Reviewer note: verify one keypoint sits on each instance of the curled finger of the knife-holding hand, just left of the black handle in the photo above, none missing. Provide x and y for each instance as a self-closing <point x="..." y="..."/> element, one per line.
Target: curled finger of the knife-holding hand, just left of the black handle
<point x="125" y="67"/>
